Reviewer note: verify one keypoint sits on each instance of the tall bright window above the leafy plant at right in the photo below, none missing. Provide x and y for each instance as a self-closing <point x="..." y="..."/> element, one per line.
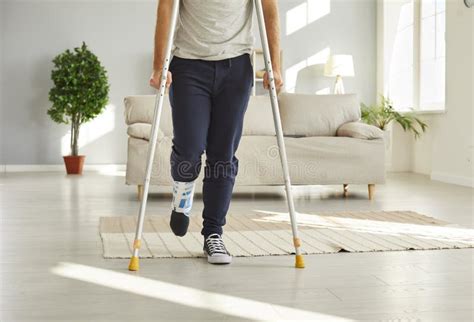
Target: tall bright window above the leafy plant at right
<point x="414" y="53"/>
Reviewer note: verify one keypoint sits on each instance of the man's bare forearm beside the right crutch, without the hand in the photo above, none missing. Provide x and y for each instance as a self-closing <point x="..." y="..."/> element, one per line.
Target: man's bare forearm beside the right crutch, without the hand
<point x="272" y="24"/>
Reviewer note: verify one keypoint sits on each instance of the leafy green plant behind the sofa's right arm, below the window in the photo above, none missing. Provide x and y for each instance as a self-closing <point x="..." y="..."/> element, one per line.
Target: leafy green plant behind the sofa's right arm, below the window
<point x="381" y="115"/>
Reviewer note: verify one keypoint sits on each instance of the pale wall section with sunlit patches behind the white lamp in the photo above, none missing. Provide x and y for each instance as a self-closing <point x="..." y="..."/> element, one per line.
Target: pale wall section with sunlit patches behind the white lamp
<point x="331" y="27"/>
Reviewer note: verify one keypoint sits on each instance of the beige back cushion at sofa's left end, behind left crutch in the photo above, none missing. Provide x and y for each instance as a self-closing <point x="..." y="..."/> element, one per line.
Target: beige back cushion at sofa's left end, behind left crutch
<point x="140" y="109"/>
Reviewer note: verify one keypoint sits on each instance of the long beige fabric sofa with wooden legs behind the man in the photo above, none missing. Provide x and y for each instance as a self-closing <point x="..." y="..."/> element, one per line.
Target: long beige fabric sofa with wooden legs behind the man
<point x="325" y="142"/>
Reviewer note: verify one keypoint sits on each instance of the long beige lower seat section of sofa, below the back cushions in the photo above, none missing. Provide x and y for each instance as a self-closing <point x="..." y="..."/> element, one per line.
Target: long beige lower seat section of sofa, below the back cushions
<point x="311" y="160"/>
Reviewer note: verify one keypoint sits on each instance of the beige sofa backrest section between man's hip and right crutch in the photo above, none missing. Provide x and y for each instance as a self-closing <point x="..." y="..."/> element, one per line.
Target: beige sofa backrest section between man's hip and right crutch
<point x="259" y="117"/>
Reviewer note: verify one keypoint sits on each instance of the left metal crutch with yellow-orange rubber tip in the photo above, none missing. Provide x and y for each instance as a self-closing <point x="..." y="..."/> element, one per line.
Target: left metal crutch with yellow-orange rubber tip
<point x="134" y="261"/>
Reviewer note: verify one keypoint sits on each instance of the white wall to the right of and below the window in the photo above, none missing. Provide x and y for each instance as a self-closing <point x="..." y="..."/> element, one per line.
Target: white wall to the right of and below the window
<point x="446" y="151"/>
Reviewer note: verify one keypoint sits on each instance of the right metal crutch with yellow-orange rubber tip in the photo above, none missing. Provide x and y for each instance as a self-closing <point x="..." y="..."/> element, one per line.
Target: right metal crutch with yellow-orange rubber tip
<point x="299" y="261"/>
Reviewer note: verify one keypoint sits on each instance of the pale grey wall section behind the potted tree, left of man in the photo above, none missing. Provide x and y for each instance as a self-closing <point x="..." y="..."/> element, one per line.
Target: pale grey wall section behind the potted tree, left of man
<point x="119" y="33"/>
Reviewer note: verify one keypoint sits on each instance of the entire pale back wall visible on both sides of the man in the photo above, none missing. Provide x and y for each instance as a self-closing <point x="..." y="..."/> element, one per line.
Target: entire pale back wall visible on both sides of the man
<point x="121" y="34"/>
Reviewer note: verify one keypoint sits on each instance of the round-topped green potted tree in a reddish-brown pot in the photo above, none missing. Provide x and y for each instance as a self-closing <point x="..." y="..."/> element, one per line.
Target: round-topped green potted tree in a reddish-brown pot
<point x="80" y="94"/>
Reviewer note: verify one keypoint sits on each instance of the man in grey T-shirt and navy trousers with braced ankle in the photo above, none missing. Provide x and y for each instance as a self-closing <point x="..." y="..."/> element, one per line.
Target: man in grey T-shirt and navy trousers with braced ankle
<point x="210" y="80"/>
